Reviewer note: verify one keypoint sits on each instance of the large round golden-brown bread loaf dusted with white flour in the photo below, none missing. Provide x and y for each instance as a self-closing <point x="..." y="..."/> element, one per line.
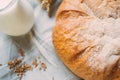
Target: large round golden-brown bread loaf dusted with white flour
<point x="87" y="38"/>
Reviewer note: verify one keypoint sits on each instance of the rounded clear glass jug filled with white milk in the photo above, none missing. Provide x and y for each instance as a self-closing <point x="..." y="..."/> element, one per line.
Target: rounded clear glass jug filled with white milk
<point x="16" y="17"/>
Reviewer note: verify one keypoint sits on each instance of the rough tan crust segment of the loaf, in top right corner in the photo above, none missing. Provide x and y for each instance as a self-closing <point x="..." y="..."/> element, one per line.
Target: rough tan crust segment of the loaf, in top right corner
<point x="104" y="8"/>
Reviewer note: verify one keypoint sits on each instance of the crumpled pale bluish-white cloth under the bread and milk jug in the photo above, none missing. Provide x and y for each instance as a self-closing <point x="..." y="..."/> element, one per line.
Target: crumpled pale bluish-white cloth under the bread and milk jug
<point x="40" y="44"/>
